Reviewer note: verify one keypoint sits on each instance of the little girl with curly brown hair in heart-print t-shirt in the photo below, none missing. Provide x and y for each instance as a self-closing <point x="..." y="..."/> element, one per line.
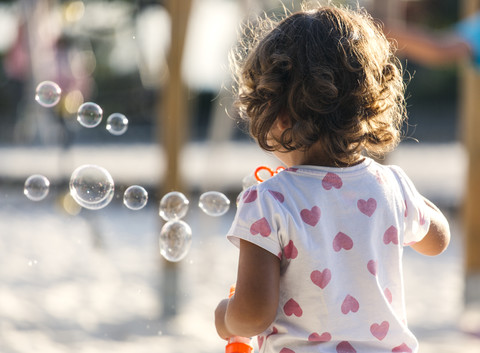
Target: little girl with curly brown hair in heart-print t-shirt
<point x="320" y="263"/>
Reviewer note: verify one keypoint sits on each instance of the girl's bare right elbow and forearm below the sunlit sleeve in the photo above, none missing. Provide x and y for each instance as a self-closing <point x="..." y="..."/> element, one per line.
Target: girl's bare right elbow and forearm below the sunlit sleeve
<point x="438" y="236"/>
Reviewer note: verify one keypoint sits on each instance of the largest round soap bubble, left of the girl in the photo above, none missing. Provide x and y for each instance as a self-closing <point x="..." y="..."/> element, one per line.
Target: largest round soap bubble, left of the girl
<point x="92" y="186"/>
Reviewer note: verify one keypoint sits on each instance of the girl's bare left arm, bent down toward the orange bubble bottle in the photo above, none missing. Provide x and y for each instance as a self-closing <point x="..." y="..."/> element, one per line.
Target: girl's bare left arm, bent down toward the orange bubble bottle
<point x="254" y="306"/>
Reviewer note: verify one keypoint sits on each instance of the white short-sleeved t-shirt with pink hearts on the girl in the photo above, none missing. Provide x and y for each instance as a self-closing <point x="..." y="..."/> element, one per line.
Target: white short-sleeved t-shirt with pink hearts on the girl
<point x="339" y="233"/>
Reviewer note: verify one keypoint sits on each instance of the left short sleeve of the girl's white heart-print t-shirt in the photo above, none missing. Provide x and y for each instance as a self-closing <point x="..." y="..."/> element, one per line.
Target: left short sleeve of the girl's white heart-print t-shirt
<point x="258" y="220"/>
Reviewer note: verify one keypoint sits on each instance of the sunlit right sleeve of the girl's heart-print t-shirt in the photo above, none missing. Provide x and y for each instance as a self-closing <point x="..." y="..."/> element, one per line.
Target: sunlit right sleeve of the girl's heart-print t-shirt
<point x="416" y="212"/>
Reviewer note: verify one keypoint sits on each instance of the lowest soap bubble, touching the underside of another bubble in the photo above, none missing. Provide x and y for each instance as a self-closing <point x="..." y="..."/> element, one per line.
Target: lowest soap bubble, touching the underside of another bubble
<point x="175" y="240"/>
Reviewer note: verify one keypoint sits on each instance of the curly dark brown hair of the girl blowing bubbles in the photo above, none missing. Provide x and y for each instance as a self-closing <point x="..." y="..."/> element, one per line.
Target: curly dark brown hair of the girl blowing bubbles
<point x="332" y="72"/>
